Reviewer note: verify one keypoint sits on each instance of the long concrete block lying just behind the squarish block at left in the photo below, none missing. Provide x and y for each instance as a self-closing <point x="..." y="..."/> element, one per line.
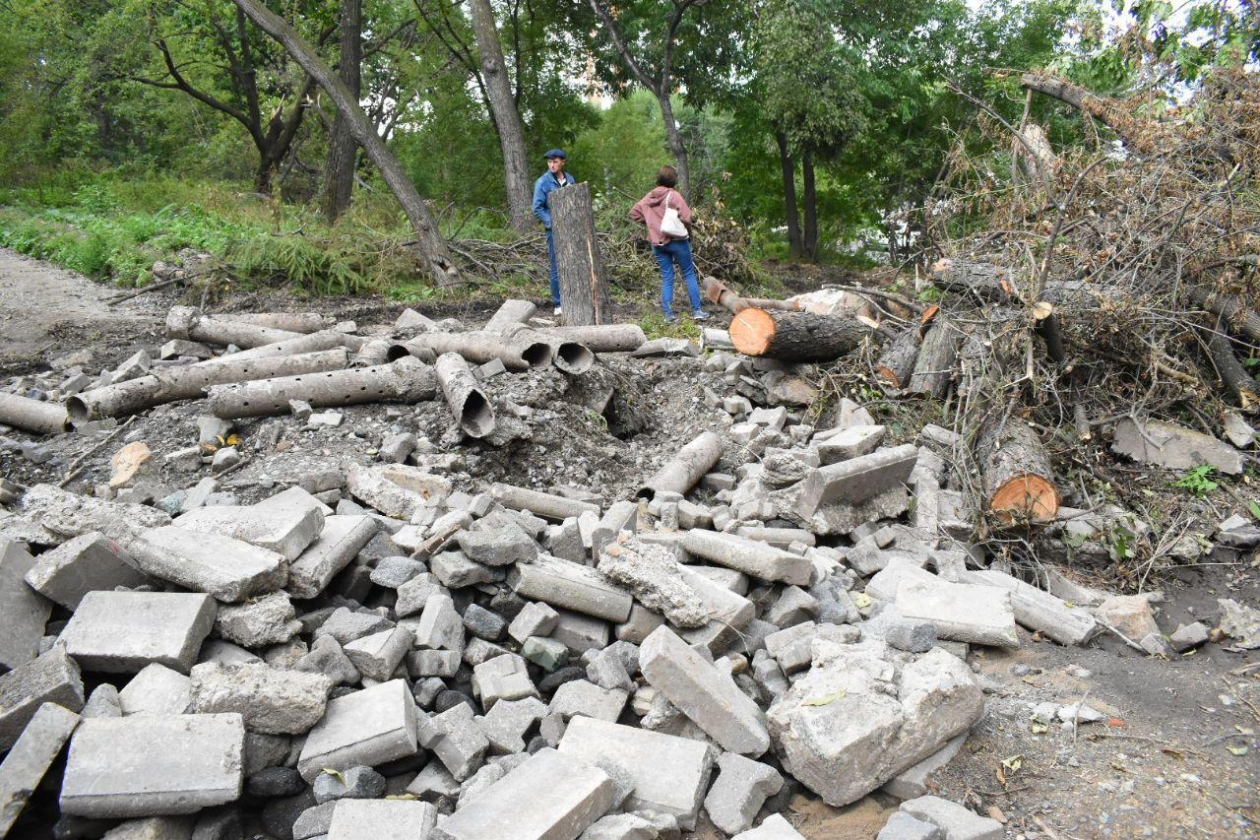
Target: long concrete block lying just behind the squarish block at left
<point x="227" y="569"/>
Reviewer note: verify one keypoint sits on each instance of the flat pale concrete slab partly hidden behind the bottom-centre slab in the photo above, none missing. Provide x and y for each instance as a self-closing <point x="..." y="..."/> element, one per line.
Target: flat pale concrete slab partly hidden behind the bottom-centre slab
<point x="670" y="774"/>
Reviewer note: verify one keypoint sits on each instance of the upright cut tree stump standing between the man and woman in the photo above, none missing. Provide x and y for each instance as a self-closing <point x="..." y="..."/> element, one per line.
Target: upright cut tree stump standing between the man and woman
<point x="583" y="289"/>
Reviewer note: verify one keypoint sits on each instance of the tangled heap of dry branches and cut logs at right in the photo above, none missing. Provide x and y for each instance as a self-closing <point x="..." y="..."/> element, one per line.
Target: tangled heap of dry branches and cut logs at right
<point x="1083" y="287"/>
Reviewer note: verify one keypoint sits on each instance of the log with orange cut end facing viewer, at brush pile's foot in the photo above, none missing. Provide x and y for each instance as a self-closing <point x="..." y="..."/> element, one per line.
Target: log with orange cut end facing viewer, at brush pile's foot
<point x="1016" y="475"/>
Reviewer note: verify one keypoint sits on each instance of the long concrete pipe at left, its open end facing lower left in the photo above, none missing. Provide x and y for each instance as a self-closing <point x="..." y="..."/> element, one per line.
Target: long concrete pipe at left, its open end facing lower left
<point x="190" y="382"/>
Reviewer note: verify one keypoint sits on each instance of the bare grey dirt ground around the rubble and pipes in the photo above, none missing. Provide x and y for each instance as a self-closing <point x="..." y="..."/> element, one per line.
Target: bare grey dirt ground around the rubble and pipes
<point x="1176" y="756"/>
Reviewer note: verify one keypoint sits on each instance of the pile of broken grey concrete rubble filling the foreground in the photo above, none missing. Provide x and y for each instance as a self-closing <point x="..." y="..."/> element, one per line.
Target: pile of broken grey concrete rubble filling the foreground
<point x="379" y="652"/>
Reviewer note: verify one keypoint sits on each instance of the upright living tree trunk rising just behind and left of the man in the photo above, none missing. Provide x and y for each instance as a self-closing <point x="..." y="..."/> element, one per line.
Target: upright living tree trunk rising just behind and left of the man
<point x="507" y="119"/>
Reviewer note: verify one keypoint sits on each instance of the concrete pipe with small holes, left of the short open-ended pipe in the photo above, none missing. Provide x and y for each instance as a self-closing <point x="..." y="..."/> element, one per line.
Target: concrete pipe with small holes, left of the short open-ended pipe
<point x="405" y="381"/>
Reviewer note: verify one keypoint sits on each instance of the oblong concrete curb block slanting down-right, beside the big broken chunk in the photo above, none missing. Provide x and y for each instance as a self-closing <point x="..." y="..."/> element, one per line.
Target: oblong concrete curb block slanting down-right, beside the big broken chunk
<point x="704" y="693"/>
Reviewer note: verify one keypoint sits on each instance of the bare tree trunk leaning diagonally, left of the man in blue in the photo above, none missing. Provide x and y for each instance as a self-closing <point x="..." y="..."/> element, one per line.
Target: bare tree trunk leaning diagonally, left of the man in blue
<point x="430" y="241"/>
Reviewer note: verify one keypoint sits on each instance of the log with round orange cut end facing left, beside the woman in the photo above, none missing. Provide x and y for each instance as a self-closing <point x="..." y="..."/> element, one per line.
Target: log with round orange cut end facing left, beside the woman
<point x="796" y="337"/>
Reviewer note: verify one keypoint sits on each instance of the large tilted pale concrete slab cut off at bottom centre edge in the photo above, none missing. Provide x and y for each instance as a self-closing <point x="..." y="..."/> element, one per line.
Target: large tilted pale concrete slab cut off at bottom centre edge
<point x="549" y="797"/>
